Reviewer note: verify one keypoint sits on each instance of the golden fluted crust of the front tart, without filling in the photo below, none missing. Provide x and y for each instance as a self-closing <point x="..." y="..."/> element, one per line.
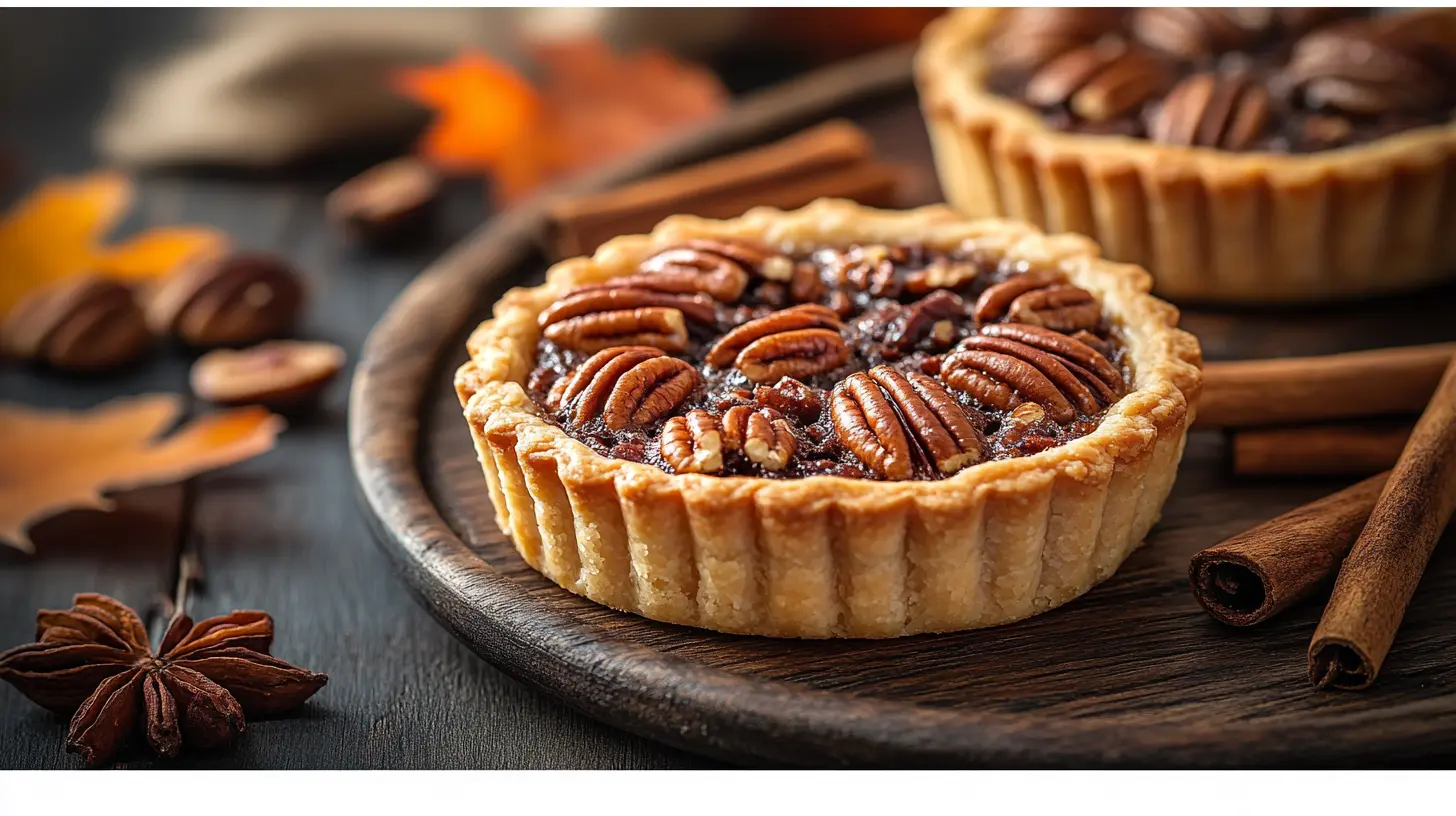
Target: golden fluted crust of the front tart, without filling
<point x="828" y="556"/>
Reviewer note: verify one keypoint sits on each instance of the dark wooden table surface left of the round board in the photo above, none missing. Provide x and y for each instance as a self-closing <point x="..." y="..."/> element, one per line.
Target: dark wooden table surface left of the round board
<point x="283" y="533"/>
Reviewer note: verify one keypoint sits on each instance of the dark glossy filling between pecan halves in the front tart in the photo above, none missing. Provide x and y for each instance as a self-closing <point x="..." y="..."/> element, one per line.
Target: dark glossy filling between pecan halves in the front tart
<point x="880" y="327"/>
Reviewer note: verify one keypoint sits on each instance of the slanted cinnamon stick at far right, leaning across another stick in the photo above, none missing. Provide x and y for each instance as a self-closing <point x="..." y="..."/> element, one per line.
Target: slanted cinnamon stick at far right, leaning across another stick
<point x="1385" y="565"/>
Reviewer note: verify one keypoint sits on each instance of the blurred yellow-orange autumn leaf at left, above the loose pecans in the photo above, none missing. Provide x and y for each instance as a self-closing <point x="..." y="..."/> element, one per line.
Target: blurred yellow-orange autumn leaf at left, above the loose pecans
<point x="58" y="232"/>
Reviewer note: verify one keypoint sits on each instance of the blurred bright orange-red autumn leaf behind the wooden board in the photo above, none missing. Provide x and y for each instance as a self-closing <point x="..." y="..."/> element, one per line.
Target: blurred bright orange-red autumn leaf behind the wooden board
<point x="592" y="107"/>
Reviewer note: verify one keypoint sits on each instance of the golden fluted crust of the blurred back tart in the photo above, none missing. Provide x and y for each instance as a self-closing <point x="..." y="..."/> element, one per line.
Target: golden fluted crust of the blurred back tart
<point x="1211" y="225"/>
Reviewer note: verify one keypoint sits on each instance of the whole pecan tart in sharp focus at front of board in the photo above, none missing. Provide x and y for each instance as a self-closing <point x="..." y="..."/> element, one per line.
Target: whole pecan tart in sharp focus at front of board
<point x="835" y="422"/>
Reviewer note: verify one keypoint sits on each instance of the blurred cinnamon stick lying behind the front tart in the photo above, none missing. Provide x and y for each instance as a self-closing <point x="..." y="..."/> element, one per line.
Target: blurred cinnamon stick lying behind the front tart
<point x="835" y="160"/>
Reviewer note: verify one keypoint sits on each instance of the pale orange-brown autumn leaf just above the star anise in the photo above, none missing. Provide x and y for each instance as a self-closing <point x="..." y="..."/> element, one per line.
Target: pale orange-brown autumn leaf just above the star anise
<point x="55" y="461"/>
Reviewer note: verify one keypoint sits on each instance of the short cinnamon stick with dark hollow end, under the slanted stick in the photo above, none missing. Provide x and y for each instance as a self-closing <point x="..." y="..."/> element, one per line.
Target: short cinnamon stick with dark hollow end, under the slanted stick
<point x="1259" y="573"/>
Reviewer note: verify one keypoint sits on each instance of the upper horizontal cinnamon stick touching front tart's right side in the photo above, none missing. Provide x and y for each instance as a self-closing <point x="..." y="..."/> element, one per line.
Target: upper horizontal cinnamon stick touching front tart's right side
<point x="1310" y="390"/>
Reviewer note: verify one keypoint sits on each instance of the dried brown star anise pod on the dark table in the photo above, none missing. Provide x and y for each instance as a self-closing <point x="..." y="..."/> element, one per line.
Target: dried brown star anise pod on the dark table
<point x="95" y="659"/>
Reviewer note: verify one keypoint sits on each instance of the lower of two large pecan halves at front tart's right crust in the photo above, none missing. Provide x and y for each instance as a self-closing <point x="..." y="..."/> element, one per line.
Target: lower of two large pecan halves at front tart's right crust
<point x="1013" y="364"/>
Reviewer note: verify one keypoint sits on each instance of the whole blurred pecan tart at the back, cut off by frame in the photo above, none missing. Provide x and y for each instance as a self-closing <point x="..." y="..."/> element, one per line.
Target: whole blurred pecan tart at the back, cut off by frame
<point x="1241" y="155"/>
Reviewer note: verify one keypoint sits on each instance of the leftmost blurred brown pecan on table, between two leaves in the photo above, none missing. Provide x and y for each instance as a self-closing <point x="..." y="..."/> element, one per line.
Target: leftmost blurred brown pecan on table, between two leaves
<point x="82" y="324"/>
